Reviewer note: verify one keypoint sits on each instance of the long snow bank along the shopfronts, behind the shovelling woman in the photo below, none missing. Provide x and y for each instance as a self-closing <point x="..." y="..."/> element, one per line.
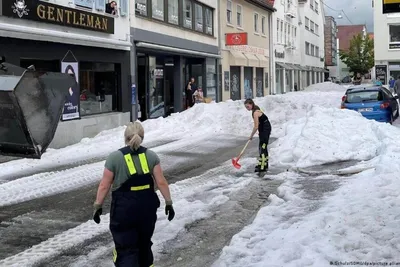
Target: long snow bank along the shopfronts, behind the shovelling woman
<point x="212" y="119"/>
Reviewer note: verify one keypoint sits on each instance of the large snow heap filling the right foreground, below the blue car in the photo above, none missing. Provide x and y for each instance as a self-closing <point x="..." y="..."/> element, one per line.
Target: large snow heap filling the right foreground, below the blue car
<point x="357" y="222"/>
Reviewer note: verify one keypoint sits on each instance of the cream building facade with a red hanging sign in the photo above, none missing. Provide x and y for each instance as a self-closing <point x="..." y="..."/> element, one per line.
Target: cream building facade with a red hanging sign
<point x="245" y="49"/>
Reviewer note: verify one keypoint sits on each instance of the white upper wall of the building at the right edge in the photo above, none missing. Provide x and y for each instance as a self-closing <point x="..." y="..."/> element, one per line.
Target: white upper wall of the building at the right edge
<point x="381" y="33"/>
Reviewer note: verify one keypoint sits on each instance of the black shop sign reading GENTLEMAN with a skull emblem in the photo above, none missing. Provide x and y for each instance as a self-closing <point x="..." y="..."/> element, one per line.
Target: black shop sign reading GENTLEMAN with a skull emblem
<point x="55" y="14"/>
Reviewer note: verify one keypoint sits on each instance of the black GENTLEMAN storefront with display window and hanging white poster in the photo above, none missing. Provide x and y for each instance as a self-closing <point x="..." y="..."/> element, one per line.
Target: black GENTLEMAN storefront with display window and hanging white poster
<point x="102" y="74"/>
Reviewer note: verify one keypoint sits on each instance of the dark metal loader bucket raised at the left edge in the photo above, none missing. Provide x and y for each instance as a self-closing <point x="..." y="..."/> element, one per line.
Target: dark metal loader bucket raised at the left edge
<point x="31" y="104"/>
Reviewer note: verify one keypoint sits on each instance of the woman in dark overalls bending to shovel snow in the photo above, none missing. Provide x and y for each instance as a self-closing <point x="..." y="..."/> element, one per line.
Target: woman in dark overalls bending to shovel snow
<point x="262" y="124"/>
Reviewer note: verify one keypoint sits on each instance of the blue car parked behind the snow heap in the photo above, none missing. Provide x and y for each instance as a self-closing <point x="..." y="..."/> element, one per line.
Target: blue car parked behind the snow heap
<point x="373" y="102"/>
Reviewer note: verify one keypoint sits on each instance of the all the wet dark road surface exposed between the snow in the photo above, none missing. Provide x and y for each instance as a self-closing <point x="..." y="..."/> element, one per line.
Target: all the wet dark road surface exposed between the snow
<point x="199" y="244"/>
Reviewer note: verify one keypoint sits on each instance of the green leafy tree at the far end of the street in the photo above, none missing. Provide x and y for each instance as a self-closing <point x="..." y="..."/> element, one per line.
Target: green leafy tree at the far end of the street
<point x="360" y="56"/>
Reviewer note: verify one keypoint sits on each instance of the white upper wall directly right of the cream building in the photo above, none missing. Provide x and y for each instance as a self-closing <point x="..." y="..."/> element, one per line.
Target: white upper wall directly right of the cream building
<point x="291" y="55"/>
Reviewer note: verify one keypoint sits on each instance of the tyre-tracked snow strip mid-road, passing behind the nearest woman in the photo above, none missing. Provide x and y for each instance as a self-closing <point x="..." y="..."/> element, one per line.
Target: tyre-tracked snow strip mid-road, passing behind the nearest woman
<point x="211" y="189"/>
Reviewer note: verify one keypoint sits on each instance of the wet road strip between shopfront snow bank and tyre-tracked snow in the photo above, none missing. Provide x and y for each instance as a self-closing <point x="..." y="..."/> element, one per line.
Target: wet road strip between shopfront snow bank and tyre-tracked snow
<point x="29" y="223"/>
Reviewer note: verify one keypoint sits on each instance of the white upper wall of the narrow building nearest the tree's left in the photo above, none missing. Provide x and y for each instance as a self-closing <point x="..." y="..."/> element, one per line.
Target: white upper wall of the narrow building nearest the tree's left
<point x="316" y="38"/>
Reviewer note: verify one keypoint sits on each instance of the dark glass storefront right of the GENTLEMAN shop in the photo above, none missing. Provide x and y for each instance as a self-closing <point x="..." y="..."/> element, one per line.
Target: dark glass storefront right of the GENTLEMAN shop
<point x="164" y="66"/>
